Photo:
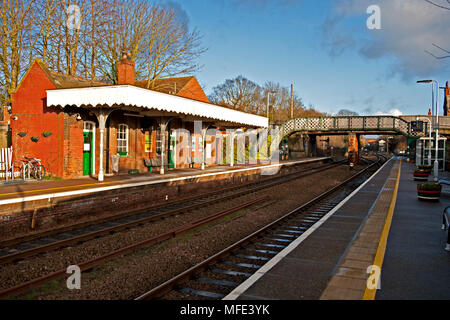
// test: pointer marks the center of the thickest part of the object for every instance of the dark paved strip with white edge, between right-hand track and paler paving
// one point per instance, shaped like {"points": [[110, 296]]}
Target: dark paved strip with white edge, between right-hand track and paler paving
{"points": [[305, 268]]}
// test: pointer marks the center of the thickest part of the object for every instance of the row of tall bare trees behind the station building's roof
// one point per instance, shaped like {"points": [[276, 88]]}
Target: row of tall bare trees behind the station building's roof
{"points": [[87, 38]]}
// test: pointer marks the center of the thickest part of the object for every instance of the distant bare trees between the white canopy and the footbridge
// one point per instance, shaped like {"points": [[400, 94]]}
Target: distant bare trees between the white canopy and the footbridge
{"points": [[245, 95]]}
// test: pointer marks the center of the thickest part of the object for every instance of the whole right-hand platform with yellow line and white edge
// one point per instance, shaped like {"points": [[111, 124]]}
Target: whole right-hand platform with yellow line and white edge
{"points": [[381, 229]]}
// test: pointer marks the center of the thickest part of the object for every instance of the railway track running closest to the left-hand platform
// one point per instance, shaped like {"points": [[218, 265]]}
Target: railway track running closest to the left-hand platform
{"points": [[17, 249]]}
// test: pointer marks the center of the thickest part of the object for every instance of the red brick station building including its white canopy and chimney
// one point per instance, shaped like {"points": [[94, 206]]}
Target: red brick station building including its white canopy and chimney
{"points": [[78, 127]]}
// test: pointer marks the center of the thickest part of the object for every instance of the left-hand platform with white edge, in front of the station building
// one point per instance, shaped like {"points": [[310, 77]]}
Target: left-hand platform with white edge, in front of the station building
{"points": [[45, 204]]}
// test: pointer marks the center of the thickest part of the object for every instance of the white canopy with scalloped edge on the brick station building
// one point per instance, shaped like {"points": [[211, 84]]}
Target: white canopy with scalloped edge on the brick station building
{"points": [[151, 103]]}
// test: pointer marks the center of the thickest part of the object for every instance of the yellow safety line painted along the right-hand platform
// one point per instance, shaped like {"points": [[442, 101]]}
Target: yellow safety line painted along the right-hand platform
{"points": [[369, 294]]}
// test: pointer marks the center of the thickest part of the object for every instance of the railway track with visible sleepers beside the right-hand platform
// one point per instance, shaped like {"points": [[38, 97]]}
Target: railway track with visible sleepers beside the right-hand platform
{"points": [[218, 275]]}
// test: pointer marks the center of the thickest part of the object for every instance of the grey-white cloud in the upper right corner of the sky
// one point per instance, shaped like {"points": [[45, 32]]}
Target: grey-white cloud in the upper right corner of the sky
{"points": [[408, 29]]}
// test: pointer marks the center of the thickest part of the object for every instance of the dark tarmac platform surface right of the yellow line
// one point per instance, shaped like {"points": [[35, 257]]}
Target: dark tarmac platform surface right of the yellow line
{"points": [[416, 265]]}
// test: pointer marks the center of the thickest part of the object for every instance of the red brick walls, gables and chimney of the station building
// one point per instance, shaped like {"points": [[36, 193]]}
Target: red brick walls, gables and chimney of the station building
{"points": [[62, 152]]}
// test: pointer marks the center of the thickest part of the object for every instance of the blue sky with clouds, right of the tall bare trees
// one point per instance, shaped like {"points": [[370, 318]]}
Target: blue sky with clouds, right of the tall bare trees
{"points": [[326, 50]]}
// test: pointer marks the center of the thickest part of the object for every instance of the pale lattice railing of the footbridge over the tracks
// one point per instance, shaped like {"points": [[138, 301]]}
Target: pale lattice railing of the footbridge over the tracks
{"points": [[348, 124]]}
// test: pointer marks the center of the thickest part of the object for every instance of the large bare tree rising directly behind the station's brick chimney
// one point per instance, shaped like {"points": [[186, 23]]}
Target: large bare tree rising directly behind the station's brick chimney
{"points": [[159, 42]]}
